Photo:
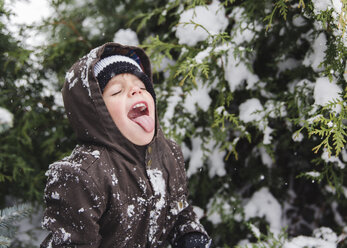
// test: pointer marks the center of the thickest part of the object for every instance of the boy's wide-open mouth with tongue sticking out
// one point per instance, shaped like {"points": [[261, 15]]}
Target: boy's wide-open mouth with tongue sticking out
{"points": [[139, 114]]}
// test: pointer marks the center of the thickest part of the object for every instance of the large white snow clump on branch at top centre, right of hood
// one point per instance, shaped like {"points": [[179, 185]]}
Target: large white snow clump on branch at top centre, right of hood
{"points": [[211, 17]]}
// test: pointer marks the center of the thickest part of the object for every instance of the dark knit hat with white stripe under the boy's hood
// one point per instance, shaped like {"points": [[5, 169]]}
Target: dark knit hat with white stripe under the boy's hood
{"points": [[110, 66]]}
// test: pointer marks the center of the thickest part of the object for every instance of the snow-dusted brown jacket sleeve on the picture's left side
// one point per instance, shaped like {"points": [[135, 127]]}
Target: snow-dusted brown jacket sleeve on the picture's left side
{"points": [[73, 208]]}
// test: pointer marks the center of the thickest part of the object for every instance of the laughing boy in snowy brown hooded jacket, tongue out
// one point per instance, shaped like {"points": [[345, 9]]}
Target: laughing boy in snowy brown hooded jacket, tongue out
{"points": [[124, 185]]}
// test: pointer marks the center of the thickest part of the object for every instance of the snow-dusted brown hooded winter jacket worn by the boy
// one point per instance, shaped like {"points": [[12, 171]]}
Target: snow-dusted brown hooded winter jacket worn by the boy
{"points": [[110, 192]]}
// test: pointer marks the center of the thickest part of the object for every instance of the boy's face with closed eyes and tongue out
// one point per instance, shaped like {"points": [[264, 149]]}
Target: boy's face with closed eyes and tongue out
{"points": [[131, 107]]}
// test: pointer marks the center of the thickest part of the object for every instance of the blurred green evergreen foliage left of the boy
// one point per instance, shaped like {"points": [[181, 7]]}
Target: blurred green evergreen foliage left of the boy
{"points": [[38, 126]]}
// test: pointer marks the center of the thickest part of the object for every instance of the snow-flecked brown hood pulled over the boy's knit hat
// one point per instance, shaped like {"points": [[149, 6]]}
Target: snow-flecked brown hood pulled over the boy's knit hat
{"points": [[85, 106]]}
